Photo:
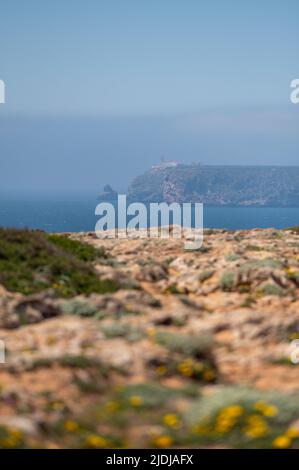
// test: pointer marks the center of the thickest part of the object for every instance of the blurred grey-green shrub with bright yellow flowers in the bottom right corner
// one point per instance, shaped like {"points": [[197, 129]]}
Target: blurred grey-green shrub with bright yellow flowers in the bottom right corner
{"points": [[244, 418]]}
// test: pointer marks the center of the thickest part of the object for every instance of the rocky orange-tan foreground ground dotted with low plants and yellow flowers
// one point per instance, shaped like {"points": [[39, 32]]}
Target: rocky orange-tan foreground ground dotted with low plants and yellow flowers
{"points": [[192, 349]]}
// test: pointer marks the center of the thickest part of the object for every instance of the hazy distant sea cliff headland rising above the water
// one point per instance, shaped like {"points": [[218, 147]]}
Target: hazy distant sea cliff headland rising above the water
{"points": [[218, 185]]}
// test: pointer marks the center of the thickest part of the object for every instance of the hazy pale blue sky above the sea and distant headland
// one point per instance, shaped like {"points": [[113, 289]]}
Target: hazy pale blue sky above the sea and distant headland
{"points": [[97, 91]]}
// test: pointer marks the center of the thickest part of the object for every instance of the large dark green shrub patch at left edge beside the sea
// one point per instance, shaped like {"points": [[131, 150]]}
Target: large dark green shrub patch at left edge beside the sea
{"points": [[31, 261]]}
